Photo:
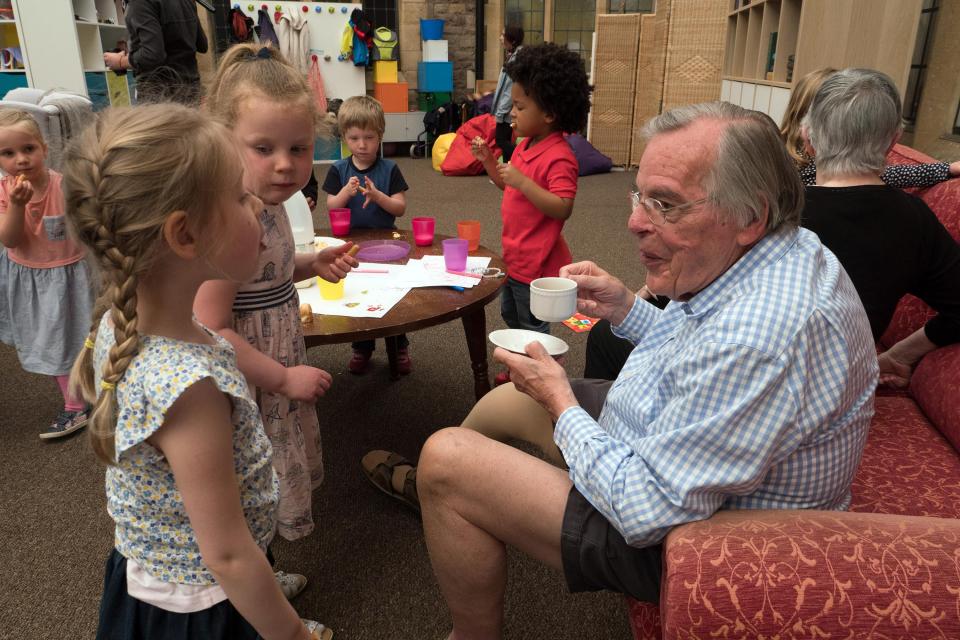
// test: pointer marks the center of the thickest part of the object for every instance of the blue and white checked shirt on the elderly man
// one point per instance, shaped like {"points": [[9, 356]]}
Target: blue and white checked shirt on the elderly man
{"points": [[755, 394]]}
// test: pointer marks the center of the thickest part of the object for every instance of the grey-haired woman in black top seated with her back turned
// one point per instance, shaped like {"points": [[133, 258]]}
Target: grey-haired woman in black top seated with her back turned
{"points": [[889, 241]]}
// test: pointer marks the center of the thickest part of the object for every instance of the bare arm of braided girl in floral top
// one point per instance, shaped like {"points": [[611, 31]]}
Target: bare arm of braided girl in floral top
{"points": [[197, 440]]}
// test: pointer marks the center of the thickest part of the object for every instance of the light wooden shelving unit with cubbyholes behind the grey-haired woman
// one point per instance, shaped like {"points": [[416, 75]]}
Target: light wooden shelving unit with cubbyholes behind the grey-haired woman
{"points": [[772, 43]]}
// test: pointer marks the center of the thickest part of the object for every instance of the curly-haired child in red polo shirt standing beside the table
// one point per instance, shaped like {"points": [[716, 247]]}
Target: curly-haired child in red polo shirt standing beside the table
{"points": [[550, 96]]}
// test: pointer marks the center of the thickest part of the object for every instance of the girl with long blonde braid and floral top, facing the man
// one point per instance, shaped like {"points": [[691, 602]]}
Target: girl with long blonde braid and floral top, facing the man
{"points": [[156, 193]]}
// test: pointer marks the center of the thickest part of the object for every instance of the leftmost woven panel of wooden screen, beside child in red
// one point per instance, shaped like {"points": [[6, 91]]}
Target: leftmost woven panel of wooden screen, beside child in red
{"points": [[614, 78]]}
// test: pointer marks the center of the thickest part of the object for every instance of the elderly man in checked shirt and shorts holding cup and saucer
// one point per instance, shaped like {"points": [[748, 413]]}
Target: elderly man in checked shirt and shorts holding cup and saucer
{"points": [[752, 389]]}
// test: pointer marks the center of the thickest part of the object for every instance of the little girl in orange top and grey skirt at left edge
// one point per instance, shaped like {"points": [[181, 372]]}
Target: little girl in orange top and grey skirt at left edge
{"points": [[46, 297]]}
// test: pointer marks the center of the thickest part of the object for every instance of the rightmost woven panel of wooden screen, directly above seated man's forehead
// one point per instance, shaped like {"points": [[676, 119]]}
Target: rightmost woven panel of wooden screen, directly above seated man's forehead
{"points": [[695, 45]]}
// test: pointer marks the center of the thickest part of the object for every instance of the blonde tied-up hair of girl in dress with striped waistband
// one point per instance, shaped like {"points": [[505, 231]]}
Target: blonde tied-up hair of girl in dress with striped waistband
{"points": [[247, 70]]}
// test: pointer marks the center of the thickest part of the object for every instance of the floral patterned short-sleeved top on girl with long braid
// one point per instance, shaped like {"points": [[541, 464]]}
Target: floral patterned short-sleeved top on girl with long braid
{"points": [[152, 527]]}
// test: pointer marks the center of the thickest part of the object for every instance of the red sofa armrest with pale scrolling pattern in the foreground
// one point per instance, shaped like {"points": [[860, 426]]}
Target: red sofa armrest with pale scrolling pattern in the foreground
{"points": [[787, 574]]}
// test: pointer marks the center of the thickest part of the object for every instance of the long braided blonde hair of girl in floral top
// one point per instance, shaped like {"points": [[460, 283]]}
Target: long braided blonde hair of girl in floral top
{"points": [[123, 177]]}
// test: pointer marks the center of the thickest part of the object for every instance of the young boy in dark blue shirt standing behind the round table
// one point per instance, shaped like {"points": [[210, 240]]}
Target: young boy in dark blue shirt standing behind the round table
{"points": [[373, 189]]}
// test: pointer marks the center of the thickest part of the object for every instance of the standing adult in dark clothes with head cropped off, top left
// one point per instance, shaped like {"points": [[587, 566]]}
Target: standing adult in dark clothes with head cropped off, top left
{"points": [[165, 37]]}
